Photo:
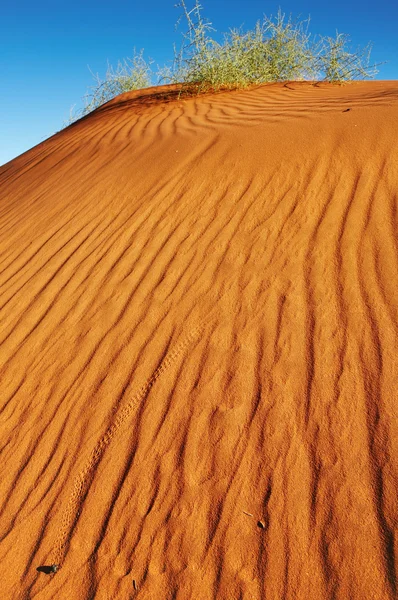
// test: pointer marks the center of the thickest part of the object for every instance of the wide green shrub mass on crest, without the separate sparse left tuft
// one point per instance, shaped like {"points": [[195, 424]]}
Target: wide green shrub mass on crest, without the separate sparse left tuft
{"points": [[277, 49]]}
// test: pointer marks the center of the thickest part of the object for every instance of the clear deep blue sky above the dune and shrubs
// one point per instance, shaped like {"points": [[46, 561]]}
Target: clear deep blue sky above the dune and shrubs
{"points": [[46, 47]]}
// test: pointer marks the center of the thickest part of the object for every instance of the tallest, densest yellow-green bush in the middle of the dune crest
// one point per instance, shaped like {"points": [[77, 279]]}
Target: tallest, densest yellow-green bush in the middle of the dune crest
{"points": [[275, 50]]}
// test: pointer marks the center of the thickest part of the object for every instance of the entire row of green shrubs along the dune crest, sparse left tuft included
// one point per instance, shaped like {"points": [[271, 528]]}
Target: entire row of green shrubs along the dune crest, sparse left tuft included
{"points": [[277, 49]]}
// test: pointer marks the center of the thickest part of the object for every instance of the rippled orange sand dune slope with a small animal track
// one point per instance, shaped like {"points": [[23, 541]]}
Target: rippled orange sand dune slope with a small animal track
{"points": [[199, 319]]}
